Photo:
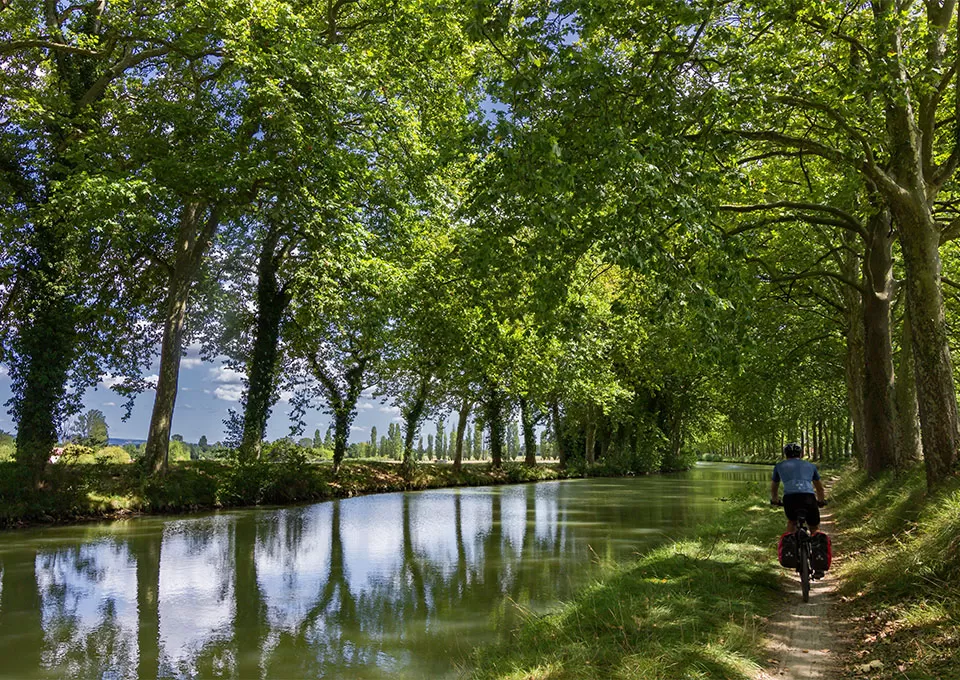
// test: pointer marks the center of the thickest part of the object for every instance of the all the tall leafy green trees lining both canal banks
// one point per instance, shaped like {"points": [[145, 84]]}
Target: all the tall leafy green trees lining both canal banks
{"points": [[634, 226]]}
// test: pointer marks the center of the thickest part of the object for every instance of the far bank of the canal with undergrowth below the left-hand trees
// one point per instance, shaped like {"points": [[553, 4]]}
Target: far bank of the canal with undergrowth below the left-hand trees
{"points": [[73, 493]]}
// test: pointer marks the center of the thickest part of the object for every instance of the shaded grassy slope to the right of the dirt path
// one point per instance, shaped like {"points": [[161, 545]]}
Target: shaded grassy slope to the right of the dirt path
{"points": [[900, 579]]}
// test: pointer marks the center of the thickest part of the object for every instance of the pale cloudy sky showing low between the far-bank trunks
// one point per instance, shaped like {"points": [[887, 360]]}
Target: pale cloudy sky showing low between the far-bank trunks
{"points": [[206, 391]]}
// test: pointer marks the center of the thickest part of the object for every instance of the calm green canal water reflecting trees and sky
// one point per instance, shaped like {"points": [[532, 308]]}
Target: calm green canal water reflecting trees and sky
{"points": [[387, 586]]}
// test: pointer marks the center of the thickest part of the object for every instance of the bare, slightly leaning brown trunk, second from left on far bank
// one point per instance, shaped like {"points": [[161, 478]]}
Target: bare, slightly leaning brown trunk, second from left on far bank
{"points": [[193, 239]]}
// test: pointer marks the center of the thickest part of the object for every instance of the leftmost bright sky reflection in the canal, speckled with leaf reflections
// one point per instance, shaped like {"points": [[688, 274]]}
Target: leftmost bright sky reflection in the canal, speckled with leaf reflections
{"points": [[88, 594]]}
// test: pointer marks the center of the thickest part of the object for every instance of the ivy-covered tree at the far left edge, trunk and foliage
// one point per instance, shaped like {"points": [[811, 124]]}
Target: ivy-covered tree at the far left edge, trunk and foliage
{"points": [[64, 72]]}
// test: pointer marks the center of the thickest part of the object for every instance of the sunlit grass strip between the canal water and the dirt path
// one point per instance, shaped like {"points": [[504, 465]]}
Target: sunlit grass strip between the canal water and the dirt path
{"points": [[692, 609]]}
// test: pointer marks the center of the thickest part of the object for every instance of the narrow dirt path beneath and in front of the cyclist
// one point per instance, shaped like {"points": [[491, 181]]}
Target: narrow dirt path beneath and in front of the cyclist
{"points": [[804, 638]]}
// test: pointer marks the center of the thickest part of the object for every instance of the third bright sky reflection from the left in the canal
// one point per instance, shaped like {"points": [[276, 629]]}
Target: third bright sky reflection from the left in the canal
{"points": [[291, 573]]}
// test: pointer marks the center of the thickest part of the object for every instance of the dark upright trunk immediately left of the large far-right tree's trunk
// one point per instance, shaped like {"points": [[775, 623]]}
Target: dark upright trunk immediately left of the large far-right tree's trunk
{"points": [[879, 412]]}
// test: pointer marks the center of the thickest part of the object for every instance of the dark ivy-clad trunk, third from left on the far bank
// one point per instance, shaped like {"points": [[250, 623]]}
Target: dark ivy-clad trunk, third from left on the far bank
{"points": [[261, 392]]}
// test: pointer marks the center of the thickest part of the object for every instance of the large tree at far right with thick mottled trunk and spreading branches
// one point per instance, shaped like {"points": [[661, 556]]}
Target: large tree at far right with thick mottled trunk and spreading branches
{"points": [[897, 78]]}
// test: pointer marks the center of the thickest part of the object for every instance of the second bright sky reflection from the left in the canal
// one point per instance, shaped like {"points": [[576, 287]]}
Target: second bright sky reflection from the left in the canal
{"points": [[196, 599]]}
